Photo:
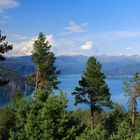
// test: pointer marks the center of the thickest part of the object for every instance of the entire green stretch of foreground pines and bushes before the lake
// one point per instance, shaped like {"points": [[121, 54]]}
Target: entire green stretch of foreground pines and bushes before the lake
{"points": [[45, 116]]}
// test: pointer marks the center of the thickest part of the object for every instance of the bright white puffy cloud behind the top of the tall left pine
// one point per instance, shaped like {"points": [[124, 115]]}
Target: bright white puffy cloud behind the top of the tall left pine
{"points": [[26, 47]]}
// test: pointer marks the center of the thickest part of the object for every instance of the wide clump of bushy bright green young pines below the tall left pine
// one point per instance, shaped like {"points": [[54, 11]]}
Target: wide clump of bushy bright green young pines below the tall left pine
{"points": [[48, 120]]}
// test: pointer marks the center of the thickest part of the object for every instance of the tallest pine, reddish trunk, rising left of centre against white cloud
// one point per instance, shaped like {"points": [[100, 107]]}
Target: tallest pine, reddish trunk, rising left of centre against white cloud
{"points": [[46, 73]]}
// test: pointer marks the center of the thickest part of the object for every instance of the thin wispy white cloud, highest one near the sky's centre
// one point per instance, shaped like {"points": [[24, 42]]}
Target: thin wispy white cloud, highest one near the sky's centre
{"points": [[74, 28]]}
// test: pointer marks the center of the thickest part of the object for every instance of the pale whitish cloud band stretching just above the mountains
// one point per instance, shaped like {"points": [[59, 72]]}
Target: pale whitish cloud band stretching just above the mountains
{"points": [[109, 43]]}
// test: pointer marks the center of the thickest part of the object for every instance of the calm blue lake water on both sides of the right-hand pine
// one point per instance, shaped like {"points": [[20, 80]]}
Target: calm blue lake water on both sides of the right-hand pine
{"points": [[69, 82]]}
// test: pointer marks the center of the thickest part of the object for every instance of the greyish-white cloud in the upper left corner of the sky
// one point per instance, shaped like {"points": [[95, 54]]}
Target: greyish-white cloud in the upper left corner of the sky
{"points": [[8, 4]]}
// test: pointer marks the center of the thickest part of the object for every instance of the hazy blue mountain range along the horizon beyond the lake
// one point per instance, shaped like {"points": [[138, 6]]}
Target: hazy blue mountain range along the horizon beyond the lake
{"points": [[111, 65]]}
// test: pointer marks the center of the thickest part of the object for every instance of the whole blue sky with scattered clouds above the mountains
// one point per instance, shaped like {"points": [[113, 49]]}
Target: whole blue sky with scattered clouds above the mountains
{"points": [[73, 27]]}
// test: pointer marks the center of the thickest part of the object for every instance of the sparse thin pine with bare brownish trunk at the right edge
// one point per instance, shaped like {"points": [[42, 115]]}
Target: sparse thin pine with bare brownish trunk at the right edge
{"points": [[132, 89]]}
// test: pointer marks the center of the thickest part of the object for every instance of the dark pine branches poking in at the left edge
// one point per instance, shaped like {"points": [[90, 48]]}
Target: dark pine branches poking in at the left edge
{"points": [[4, 47]]}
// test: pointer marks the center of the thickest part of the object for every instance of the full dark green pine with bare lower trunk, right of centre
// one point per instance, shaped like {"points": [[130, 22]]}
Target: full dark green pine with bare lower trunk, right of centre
{"points": [[93, 89]]}
